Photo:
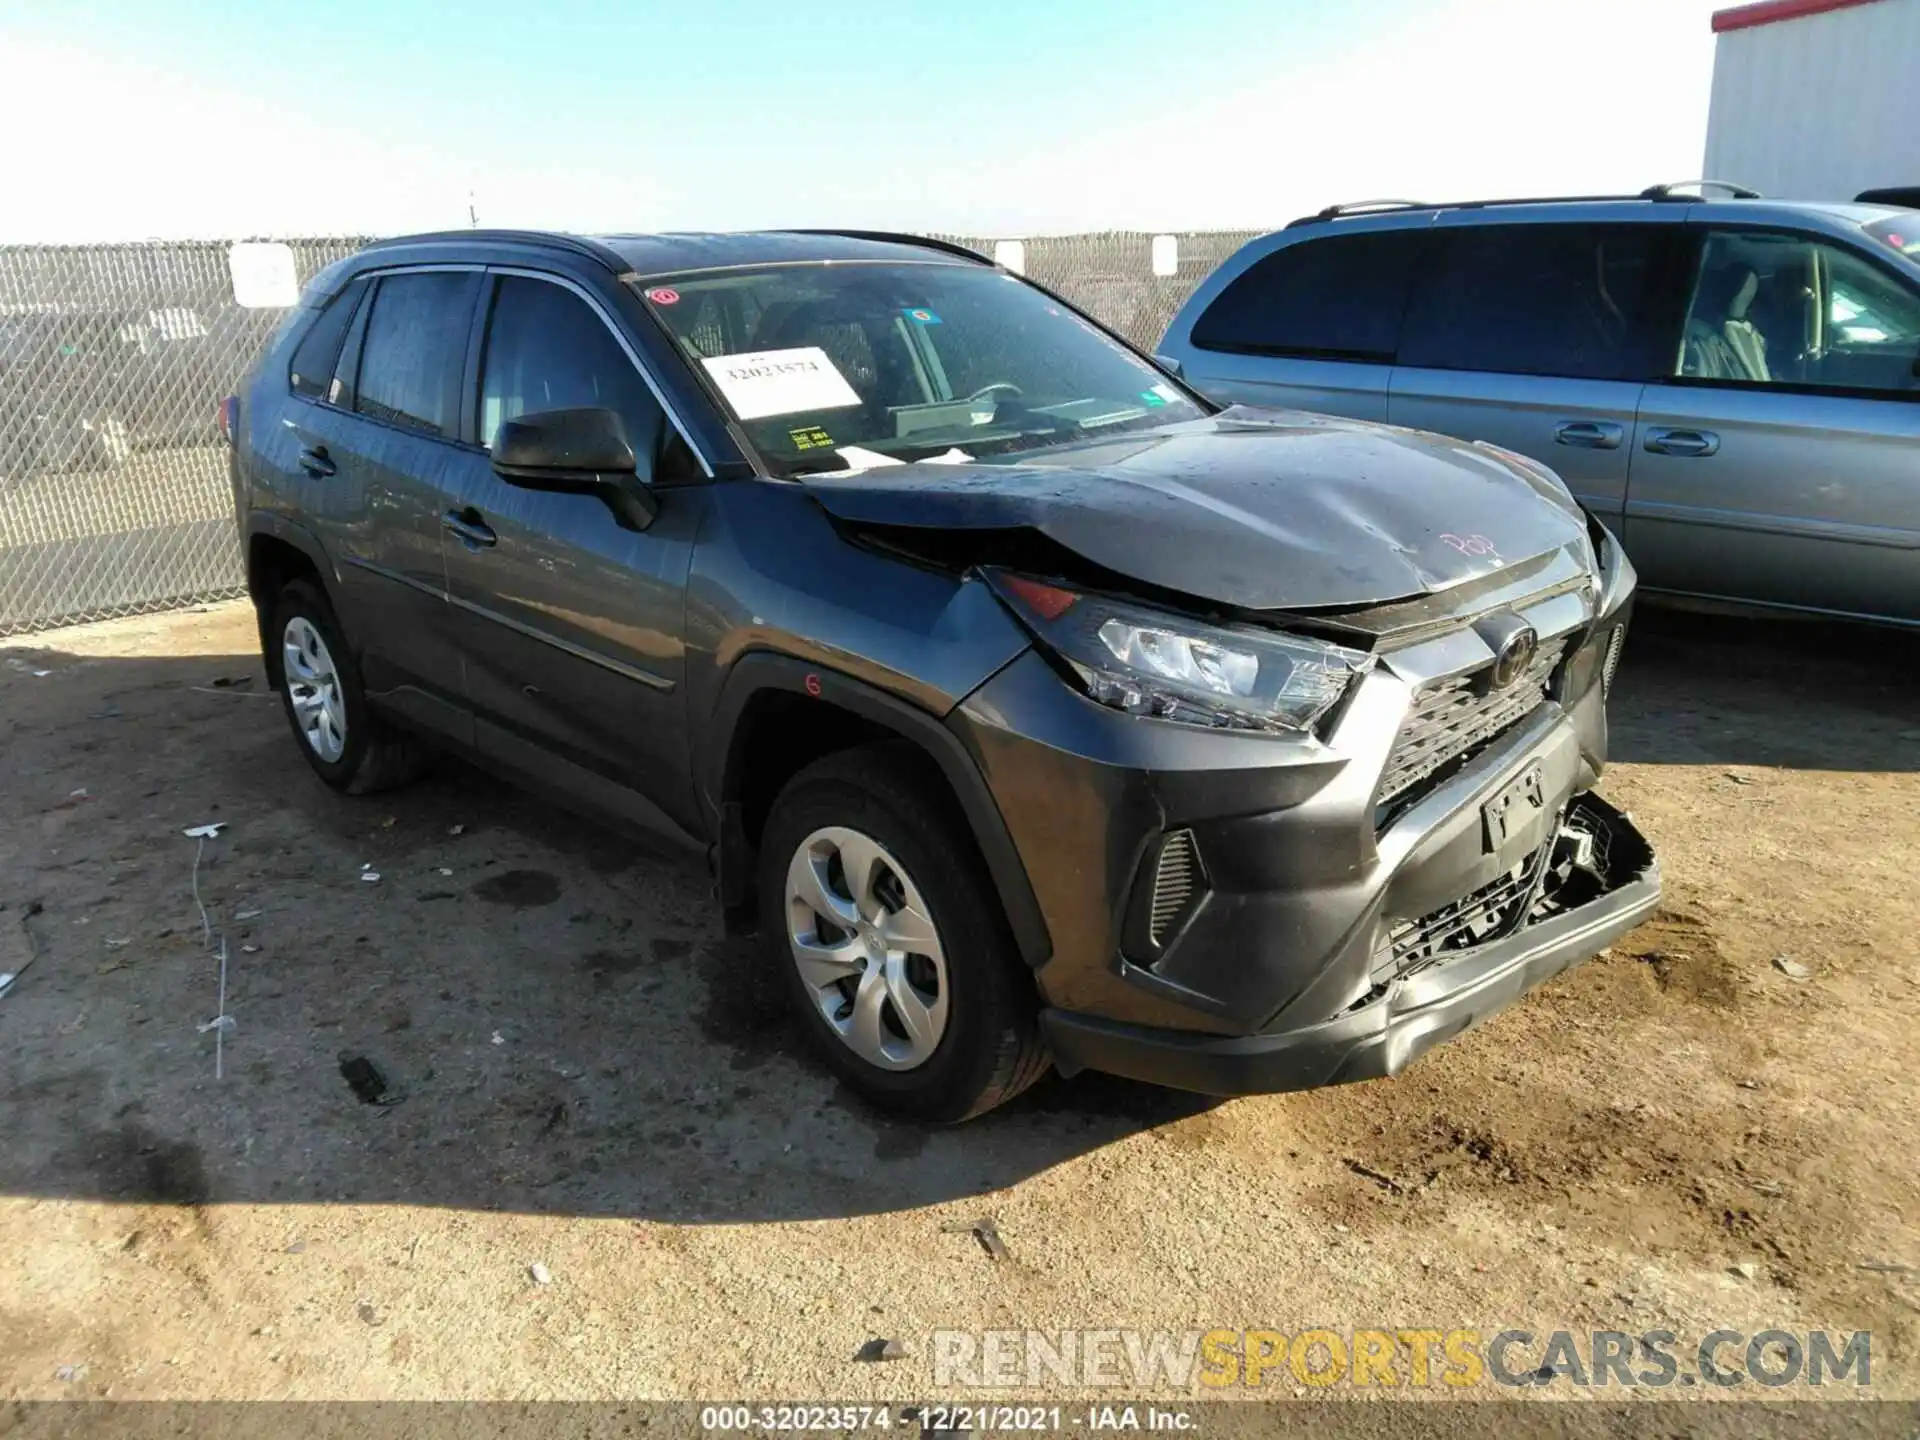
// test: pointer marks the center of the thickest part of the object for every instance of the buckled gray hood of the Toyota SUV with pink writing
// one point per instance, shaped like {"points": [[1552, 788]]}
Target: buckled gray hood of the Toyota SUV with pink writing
{"points": [[1251, 508]]}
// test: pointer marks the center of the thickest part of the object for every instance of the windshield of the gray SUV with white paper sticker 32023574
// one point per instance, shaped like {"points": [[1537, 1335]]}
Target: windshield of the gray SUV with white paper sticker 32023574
{"points": [[838, 368]]}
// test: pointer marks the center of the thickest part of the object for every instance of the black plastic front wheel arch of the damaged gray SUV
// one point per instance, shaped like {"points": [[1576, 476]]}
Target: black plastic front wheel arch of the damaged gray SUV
{"points": [[777, 715]]}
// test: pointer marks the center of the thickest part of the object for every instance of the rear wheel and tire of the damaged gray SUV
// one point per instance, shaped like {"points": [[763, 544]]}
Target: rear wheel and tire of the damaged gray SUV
{"points": [[347, 744]]}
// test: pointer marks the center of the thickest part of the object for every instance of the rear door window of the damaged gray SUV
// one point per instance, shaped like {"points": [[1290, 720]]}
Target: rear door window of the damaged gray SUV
{"points": [[410, 370]]}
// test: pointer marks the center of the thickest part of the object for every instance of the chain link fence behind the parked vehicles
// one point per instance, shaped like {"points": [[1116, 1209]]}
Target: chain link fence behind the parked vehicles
{"points": [[114, 492]]}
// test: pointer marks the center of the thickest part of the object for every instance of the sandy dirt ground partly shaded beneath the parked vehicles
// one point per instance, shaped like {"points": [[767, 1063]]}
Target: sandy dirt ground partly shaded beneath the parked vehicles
{"points": [[1675, 1136]]}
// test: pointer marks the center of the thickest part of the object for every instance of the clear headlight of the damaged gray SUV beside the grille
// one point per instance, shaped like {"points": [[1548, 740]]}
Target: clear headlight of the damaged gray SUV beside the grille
{"points": [[1178, 669]]}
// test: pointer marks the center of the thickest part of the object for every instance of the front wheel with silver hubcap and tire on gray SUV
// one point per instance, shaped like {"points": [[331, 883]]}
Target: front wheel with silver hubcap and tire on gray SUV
{"points": [[890, 940]]}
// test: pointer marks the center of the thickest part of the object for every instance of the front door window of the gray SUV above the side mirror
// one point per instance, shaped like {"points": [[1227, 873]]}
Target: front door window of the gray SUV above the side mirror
{"points": [[548, 352]]}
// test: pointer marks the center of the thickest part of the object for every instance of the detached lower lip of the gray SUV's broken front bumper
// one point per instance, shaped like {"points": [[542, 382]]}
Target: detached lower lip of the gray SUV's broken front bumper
{"points": [[1383, 1036]]}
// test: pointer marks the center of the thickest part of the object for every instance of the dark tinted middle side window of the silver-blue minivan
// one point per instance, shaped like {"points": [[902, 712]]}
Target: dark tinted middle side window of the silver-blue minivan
{"points": [[1587, 302]]}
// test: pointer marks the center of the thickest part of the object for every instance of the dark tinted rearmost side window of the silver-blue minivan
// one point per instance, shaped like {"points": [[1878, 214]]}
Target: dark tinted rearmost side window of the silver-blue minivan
{"points": [[1337, 297]]}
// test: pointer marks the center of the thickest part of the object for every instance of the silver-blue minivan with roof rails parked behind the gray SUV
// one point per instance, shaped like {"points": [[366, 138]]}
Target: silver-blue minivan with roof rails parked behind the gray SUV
{"points": [[1731, 383]]}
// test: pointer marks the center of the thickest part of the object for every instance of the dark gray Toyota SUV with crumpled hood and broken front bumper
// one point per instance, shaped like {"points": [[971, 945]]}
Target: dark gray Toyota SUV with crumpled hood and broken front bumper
{"points": [[1032, 708]]}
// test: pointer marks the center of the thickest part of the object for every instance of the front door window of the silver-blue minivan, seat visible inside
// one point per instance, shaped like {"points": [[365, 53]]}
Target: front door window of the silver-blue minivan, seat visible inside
{"points": [[1781, 310]]}
